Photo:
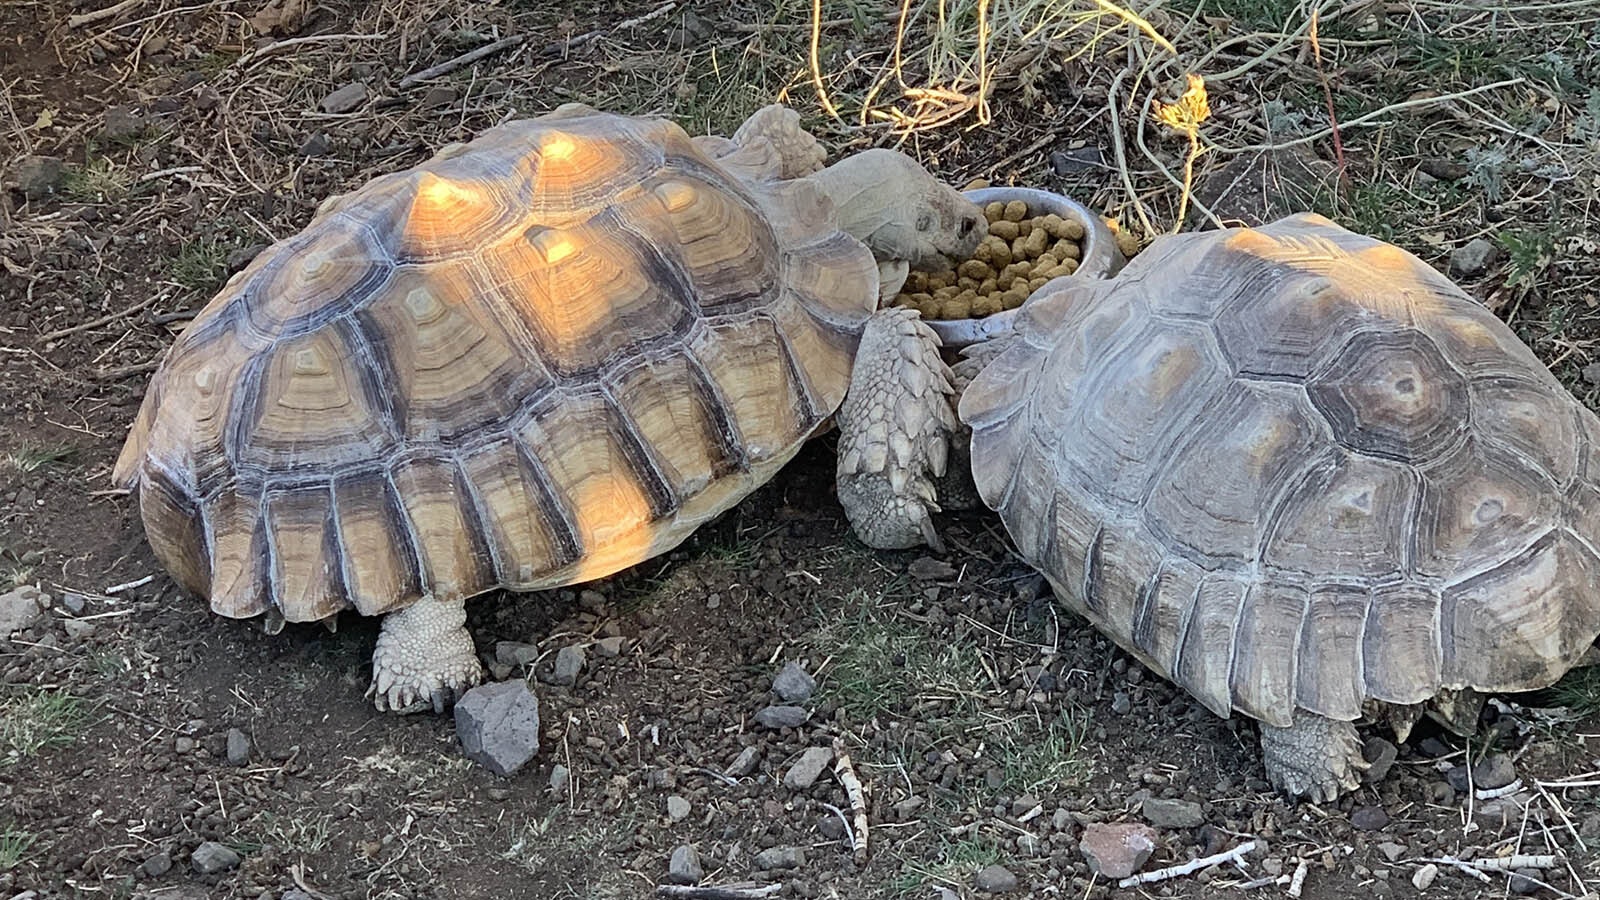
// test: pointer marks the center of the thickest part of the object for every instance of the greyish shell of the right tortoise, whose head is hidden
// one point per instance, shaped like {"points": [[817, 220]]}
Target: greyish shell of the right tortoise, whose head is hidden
{"points": [[1297, 468]]}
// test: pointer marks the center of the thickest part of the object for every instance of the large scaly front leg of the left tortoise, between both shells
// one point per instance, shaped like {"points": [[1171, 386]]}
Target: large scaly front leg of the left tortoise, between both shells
{"points": [[894, 433]]}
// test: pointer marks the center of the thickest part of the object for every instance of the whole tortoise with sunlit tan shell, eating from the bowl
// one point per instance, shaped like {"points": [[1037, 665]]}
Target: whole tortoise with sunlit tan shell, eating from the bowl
{"points": [[532, 361]]}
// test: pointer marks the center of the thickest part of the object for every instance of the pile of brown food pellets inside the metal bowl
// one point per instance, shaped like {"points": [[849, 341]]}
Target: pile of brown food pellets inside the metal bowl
{"points": [[1017, 259]]}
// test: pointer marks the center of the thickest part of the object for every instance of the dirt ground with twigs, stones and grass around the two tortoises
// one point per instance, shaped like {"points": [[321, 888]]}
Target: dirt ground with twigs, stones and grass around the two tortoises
{"points": [[988, 725]]}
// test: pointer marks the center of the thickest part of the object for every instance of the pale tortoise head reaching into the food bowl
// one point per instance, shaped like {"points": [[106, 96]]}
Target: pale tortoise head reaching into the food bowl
{"points": [[900, 211]]}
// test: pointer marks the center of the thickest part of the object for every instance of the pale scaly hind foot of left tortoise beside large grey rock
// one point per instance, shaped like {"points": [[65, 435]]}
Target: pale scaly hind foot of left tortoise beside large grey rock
{"points": [[425, 659]]}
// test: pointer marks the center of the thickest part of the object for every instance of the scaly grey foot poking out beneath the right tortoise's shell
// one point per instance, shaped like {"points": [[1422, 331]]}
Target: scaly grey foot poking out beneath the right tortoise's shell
{"points": [[1314, 758]]}
